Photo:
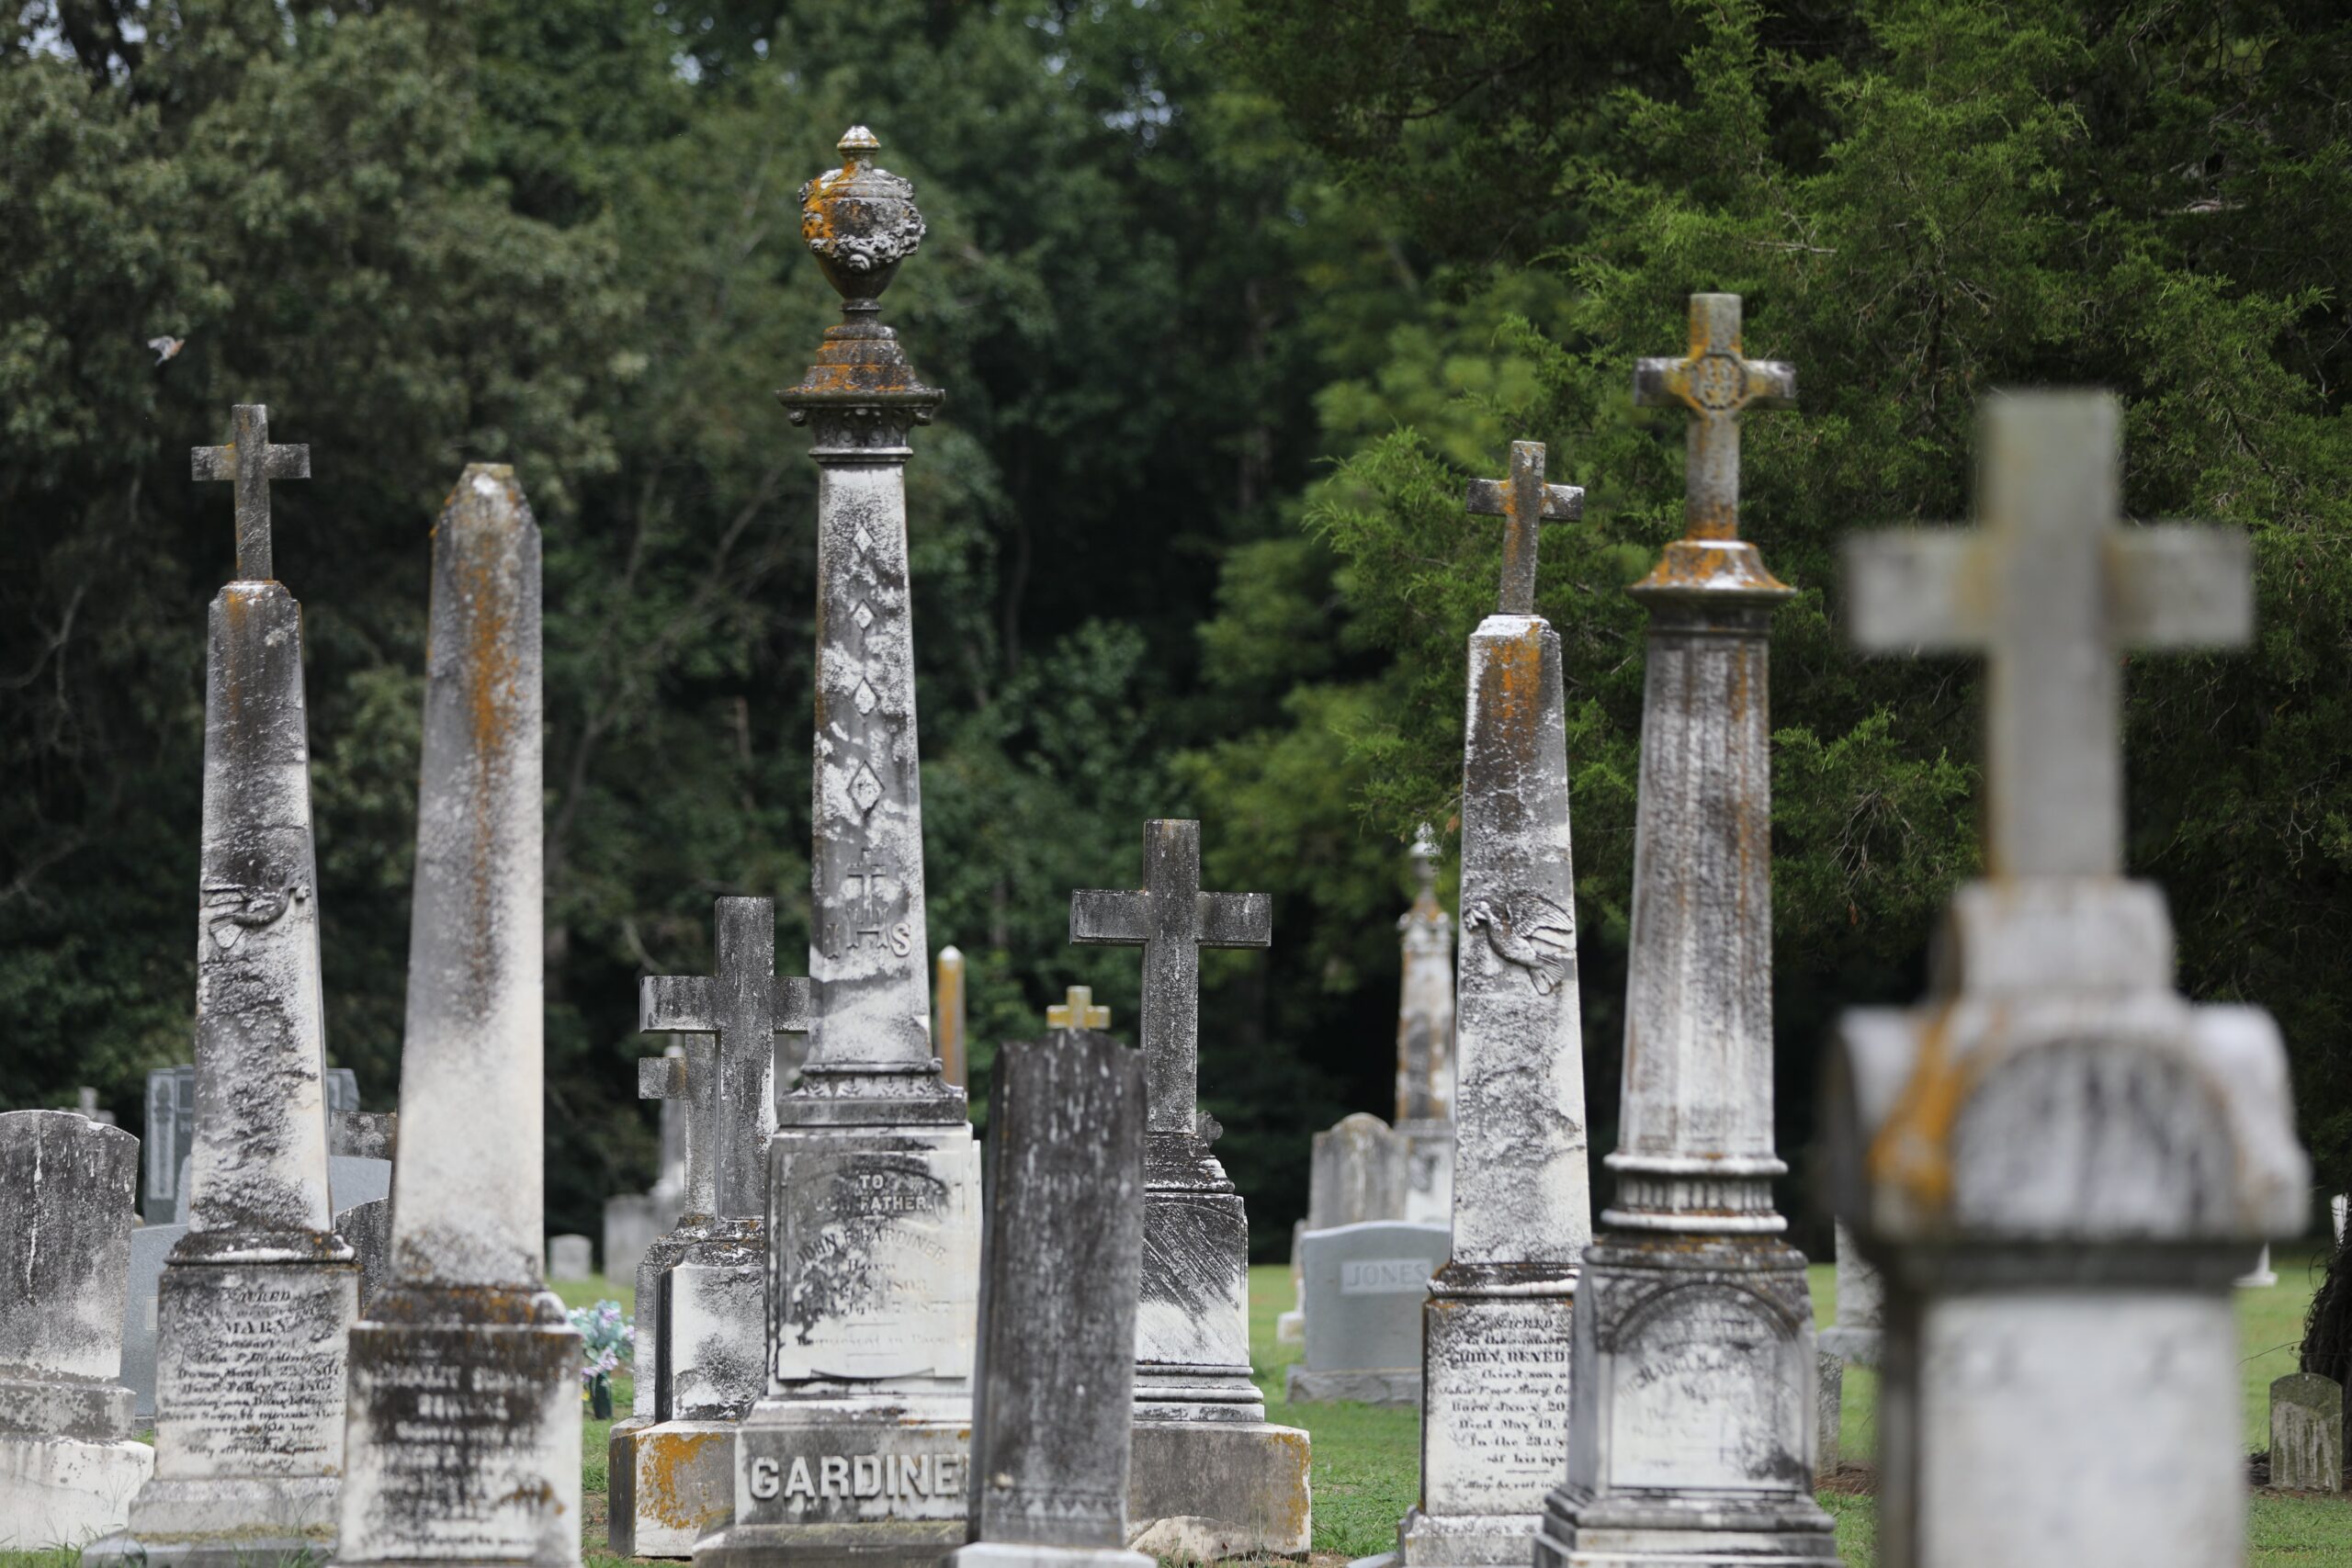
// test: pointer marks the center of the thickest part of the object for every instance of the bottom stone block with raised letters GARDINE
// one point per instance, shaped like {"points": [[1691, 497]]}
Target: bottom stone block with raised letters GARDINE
{"points": [[867, 1480]]}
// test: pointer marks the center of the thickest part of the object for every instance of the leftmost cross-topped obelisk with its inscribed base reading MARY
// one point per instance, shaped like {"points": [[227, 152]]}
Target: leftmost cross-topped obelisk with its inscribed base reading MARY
{"points": [[258, 1299]]}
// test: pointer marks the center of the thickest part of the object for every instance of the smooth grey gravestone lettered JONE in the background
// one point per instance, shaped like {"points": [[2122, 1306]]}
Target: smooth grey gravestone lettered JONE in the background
{"points": [[1365, 1287]]}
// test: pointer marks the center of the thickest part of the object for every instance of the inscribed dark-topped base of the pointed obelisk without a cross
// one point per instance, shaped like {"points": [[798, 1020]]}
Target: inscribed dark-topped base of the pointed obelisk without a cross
{"points": [[465, 1440]]}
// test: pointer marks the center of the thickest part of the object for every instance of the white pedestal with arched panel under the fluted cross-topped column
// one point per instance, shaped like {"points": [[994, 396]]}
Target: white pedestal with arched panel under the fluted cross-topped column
{"points": [[1657, 1473]]}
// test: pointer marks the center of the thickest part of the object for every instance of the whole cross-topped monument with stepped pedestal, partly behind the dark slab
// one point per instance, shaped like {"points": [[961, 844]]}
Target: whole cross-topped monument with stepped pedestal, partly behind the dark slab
{"points": [[1210, 1475]]}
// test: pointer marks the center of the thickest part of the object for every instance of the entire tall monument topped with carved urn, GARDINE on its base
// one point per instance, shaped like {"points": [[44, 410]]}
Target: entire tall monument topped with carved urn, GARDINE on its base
{"points": [[874, 1174]]}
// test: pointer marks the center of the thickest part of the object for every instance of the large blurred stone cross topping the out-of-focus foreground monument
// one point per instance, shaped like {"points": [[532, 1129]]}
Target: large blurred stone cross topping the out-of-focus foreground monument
{"points": [[2052, 591]]}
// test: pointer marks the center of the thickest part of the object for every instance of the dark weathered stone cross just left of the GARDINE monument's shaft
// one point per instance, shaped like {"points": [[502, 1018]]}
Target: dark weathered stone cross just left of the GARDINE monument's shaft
{"points": [[744, 1005]]}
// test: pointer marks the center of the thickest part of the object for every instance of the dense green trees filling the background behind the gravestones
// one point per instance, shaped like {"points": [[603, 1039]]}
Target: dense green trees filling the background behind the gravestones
{"points": [[1184, 257]]}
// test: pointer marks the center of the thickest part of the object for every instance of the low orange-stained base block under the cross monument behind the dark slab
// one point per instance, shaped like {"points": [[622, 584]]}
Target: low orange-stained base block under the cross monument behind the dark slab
{"points": [[1215, 1489]]}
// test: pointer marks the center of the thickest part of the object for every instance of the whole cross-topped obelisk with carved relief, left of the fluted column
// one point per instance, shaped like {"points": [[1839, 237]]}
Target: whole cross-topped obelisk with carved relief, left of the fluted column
{"points": [[1495, 1414]]}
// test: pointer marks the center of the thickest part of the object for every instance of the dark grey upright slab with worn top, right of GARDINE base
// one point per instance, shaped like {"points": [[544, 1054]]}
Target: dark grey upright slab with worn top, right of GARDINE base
{"points": [[1055, 1383]]}
